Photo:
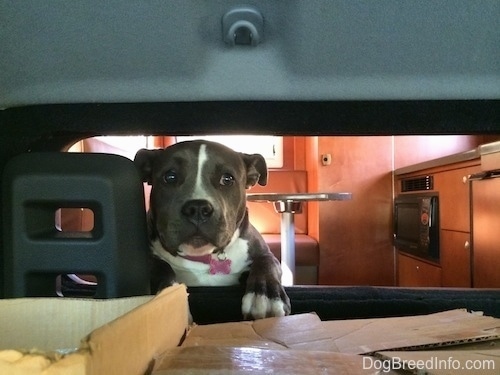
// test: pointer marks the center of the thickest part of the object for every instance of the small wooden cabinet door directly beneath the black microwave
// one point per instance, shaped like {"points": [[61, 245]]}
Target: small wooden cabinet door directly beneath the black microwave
{"points": [[413, 272]]}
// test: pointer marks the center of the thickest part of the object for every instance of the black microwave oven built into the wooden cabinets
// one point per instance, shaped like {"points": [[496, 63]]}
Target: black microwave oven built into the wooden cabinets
{"points": [[416, 224]]}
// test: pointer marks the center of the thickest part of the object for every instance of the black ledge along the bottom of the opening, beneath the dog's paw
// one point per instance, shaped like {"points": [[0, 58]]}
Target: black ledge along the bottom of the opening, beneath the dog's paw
{"points": [[347, 302]]}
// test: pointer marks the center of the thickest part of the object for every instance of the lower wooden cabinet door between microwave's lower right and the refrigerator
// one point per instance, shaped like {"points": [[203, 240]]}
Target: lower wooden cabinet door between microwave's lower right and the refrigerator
{"points": [[455, 258]]}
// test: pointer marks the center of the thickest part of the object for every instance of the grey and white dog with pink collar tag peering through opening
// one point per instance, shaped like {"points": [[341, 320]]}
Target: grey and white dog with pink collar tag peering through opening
{"points": [[199, 229]]}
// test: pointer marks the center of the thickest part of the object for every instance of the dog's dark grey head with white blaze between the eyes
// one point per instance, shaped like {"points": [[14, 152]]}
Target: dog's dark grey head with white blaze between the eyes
{"points": [[198, 198]]}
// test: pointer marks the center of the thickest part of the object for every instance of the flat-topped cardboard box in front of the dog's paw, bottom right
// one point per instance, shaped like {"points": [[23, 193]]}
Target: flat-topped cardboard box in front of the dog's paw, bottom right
{"points": [[304, 344]]}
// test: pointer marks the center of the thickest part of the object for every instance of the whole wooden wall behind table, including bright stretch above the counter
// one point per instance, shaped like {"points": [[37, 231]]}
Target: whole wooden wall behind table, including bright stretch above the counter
{"points": [[356, 236]]}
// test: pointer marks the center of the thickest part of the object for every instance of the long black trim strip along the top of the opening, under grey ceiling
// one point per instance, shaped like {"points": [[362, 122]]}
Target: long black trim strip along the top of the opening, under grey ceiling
{"points": [[290, 117]]}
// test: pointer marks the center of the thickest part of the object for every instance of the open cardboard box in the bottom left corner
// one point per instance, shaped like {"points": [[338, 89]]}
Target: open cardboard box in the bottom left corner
{"points": [[82, 336]]}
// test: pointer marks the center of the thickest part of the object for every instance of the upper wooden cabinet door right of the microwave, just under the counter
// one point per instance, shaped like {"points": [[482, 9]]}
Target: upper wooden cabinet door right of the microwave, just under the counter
{"points": [[454, 205]]}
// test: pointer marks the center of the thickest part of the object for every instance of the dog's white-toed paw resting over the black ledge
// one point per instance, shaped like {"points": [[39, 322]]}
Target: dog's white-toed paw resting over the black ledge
{"points": [[258, 306]]}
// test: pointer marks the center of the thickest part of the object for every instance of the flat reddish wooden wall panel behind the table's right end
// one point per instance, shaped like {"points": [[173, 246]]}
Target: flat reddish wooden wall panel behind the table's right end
{"points": [[356, 236]]}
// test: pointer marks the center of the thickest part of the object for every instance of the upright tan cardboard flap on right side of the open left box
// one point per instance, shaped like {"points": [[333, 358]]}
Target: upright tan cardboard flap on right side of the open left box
{"points": [[140, 335]]}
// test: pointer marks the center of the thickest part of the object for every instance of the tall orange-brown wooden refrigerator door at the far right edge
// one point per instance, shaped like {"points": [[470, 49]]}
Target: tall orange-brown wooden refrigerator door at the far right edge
{"points": [[486, 233]]}
